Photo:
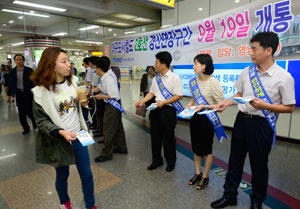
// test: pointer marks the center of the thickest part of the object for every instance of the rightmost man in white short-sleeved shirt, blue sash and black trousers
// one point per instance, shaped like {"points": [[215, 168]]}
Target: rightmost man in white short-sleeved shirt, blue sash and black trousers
{"points": [[272, 91]]}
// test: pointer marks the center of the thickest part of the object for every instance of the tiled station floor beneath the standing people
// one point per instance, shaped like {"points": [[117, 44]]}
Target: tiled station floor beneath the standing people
{"points": [[124, 182]]}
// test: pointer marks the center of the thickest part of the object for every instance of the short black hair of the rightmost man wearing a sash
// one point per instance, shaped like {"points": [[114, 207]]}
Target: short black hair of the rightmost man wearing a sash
{"points": [[266, 40]]}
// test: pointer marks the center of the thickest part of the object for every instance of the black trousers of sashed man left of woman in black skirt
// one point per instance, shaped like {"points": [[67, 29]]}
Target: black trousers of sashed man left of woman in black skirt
{"points": [[163, 122]]}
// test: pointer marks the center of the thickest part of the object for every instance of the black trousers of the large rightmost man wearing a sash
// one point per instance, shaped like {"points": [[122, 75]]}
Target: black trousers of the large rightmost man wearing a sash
{"points": [[253, 136]]}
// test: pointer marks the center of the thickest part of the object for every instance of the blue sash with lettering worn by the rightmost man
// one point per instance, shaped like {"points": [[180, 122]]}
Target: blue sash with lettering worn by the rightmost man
{"points": [[260, 92]]}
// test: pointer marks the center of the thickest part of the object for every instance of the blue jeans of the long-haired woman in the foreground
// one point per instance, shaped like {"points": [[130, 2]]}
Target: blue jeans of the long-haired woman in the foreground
{"points": [[83, 166]]}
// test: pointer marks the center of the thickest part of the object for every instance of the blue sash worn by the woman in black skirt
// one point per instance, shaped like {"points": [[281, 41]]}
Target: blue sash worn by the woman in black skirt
{"points": [[213, 116]]}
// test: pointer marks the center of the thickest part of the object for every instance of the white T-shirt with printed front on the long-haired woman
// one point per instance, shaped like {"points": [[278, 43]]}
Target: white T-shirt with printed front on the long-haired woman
{"points": [[66, 103]]}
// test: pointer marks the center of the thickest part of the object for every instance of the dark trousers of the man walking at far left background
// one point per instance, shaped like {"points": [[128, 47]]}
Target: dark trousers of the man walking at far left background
{"points": [[25, 109]]}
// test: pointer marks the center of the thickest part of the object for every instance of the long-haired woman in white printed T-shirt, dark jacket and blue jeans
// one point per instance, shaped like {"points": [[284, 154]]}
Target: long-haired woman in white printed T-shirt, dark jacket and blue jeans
{"points": [[59, 118]]}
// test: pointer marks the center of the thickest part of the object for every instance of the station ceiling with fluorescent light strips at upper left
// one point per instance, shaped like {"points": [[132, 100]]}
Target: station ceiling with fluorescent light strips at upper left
{"points": [[112, 16]]}
